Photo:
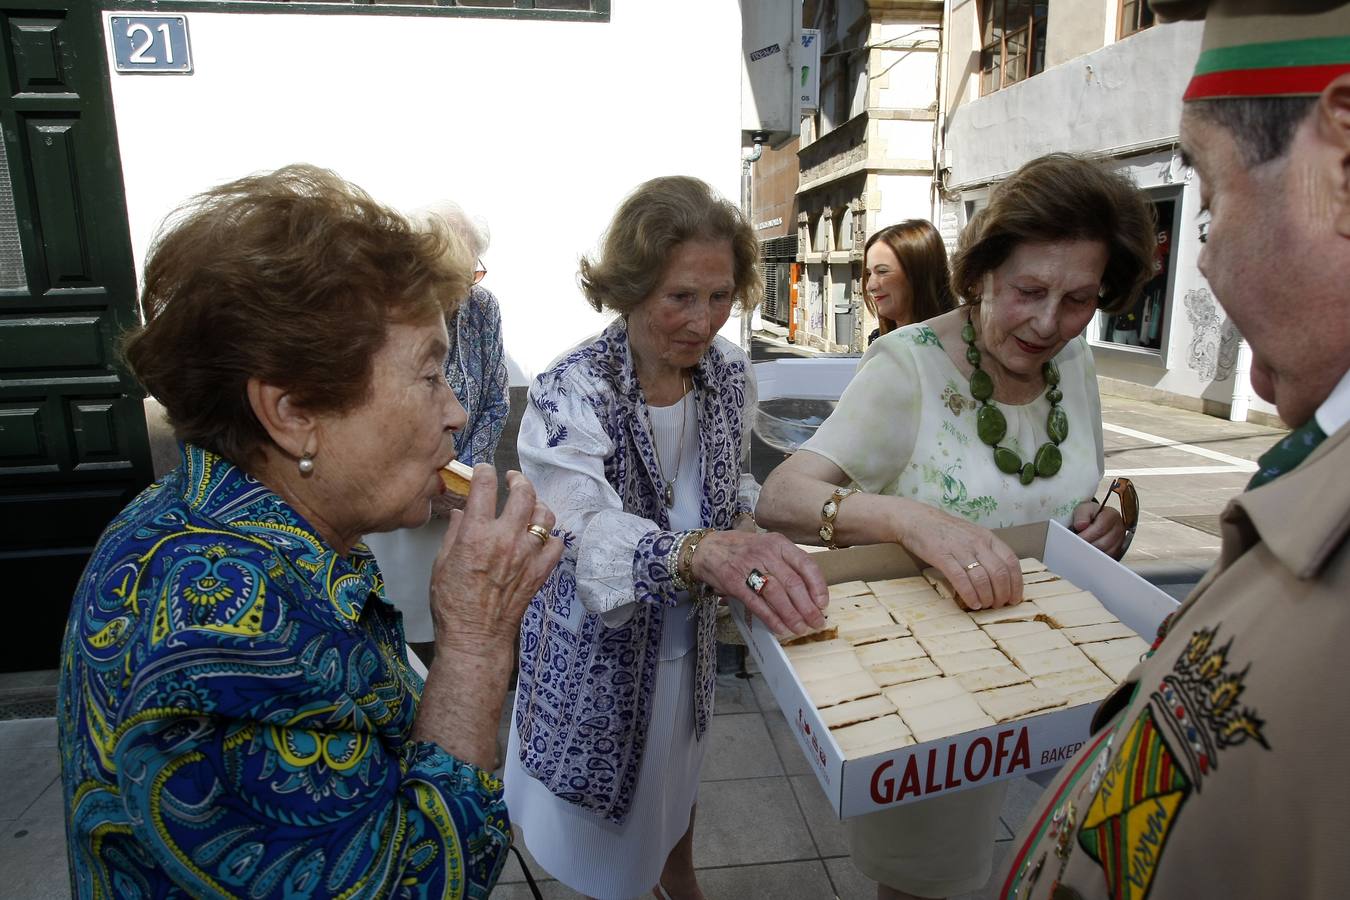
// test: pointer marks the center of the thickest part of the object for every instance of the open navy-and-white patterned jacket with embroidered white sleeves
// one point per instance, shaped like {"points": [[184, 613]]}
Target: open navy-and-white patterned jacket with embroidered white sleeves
{"points": [[592, 636]]}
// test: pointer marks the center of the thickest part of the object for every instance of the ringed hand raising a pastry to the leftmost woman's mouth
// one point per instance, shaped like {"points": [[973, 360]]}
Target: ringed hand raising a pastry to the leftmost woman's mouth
{"points": [[491, 566]]}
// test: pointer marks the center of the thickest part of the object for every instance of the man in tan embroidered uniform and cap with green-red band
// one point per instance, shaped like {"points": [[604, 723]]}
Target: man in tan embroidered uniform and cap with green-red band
{"points": [[1217, 770]]}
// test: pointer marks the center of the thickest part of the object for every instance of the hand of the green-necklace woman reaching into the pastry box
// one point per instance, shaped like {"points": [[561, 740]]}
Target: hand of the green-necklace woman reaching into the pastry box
{"points": [[983, 571]]}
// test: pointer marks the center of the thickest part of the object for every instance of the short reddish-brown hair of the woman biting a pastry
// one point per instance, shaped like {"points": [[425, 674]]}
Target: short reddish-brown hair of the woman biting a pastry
{"points": [[291, 277]]}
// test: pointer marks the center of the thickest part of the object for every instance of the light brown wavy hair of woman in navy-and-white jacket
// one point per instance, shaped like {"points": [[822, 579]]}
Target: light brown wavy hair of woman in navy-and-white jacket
{"points": [[651, 222]]}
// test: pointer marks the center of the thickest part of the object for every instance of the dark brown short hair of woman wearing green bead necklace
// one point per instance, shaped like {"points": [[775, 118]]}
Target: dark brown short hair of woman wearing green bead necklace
{"points": [[1063, 198]]}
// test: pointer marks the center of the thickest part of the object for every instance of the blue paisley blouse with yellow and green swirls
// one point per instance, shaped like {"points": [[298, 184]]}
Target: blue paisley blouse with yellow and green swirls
{"points": [[236, 714]]}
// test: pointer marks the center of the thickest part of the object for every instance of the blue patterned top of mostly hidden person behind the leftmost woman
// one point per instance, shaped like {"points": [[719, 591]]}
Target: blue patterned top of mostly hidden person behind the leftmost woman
{"points": [[477, 373]]}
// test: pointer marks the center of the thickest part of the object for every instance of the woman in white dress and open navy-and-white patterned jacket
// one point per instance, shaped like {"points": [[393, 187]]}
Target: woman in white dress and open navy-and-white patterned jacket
{"points": [[637, 438]]}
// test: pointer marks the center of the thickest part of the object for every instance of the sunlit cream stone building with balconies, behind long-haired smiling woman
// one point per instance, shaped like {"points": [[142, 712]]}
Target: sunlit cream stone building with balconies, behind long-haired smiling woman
{"points": [[867, 154]]}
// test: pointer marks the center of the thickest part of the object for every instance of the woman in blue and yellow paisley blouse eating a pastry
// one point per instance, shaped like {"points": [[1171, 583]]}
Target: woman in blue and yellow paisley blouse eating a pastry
{"points": [[237, 712]]}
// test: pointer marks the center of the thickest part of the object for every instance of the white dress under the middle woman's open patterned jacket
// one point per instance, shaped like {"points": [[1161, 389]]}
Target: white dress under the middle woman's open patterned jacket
{"points": [[581, 849]]}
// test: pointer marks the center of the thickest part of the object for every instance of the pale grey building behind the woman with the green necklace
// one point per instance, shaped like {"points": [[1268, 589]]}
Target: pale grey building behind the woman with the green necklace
{"points": [[1096, 78]]}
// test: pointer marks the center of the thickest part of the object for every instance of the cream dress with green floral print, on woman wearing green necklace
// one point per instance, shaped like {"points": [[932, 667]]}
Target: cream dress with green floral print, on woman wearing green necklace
{"points": [[907, 428]]}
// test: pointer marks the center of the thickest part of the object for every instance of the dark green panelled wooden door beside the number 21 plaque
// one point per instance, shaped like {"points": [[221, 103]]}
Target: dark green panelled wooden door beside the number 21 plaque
{"points": [[74, 446]]}
